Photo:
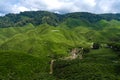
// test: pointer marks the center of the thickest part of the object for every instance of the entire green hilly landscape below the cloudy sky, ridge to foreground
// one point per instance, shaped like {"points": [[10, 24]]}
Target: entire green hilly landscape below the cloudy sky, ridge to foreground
{"points": [[30, 40]]}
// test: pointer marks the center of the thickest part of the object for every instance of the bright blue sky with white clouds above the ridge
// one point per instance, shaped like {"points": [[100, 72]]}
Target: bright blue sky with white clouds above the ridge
{"points": [[60, 6]]}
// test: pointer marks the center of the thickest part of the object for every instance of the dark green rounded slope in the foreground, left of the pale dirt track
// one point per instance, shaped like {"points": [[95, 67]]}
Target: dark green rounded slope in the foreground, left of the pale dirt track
{"points": [[21, 66]]}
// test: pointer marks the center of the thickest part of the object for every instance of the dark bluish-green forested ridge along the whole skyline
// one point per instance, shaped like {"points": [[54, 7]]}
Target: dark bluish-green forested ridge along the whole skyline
{"points": [[54, 19]]}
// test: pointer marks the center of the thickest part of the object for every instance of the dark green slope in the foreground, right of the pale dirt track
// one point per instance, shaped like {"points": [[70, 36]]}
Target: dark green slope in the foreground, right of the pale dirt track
{"points": [[92, 67]]}
